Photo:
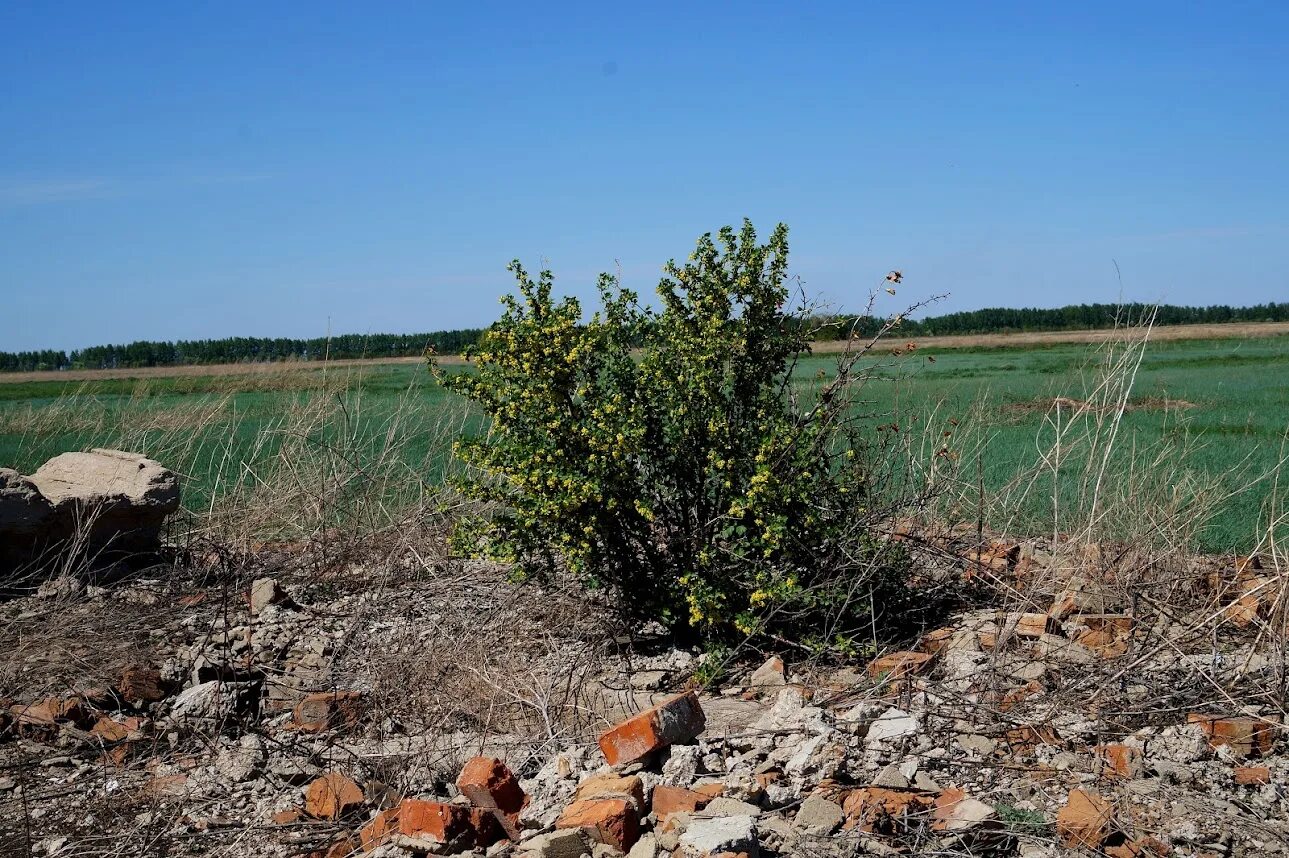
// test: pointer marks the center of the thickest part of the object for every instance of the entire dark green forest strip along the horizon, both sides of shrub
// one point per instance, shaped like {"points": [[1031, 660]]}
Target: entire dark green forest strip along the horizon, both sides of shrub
{"points": [[248, 350]]}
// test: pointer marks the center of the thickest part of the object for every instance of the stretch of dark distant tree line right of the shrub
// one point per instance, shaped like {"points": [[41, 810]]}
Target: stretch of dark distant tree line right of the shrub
{"points": [[1077, 318]]}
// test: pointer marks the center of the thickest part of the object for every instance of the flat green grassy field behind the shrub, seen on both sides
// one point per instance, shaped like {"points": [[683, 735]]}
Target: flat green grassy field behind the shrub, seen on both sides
{"points": [[1206, 417]]}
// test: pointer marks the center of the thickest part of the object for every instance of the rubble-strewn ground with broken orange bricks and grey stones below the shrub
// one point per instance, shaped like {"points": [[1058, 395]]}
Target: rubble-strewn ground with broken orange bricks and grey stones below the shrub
{"points": [[1082, 718]]}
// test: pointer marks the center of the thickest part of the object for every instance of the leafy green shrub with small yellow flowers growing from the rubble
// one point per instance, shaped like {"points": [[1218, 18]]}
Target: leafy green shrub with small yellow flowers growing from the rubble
{"points": [[667, 455]]}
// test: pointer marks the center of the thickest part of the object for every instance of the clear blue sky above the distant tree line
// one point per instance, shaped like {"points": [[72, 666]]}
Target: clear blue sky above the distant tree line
{"points": [[188, 171]]}
